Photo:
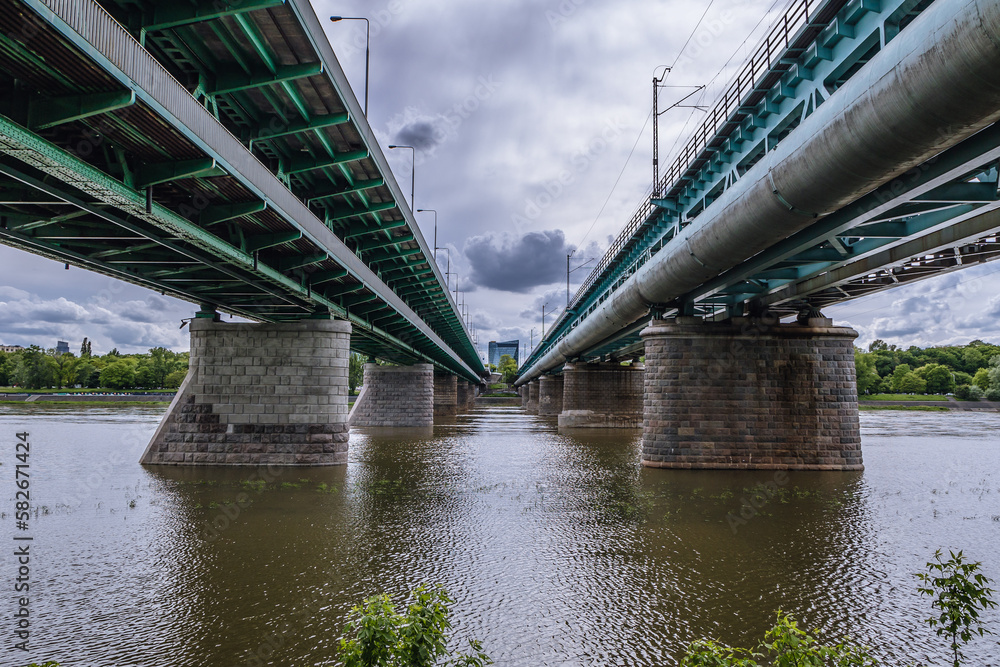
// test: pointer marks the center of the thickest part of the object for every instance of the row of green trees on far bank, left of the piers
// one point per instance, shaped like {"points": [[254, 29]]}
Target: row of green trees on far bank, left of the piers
{"points": [[38, 368]]}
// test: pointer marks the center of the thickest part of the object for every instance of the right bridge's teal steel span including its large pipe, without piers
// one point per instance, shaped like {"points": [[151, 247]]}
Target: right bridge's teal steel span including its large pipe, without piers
{"points": [[856, 150]]}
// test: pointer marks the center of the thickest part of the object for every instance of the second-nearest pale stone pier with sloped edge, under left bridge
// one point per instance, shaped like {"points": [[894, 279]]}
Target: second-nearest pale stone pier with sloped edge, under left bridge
{"points": [[397, 396]]}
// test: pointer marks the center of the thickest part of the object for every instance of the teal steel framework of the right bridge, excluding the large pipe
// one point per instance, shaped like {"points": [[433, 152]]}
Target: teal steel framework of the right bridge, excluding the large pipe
{"points": [[936, 217]]}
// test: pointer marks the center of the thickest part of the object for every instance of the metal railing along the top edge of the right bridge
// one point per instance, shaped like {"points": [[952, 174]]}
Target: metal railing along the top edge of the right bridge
{"points": [[782, 34]]}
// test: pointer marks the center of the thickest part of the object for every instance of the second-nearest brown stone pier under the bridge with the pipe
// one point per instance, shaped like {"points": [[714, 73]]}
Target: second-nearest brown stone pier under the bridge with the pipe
{"points": [[602, 395]]}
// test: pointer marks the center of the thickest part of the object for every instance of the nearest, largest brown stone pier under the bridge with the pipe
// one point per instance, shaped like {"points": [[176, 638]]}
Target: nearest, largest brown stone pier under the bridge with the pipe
{"points": [[750, 394]]}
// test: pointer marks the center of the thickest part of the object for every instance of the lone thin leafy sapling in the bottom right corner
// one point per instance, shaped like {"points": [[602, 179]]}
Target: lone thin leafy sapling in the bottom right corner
{"points": [[960, 592]]}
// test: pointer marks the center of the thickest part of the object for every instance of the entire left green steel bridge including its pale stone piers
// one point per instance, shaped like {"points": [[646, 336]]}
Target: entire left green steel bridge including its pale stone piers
{"points": [[212, 150]]}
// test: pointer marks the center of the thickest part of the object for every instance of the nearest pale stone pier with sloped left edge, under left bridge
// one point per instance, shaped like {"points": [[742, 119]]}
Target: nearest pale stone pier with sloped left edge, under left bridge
{"points": [[259, 394]]}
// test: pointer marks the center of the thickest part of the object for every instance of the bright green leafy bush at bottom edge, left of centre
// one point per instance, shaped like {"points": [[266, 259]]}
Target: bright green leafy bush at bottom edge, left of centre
{"points": [[377, 635]]}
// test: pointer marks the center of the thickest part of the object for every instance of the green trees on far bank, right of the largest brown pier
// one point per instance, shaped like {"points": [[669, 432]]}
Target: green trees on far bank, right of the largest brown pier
{"points": [[971, 372]]}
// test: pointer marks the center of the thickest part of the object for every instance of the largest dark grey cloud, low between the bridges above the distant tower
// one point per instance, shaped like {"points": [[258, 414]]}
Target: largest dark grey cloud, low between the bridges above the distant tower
{"points": [[517, 264]]}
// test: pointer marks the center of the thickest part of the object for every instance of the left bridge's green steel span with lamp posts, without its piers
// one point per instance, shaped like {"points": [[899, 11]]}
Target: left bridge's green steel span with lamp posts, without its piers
{"points": [[212, 150]]}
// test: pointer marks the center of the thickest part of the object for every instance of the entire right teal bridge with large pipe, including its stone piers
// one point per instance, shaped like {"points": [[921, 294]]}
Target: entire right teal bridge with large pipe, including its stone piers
{"points": [[857, 150]]}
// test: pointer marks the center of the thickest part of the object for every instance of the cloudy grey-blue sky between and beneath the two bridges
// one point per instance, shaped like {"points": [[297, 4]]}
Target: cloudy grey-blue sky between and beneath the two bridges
{"points": [[531, 122]]}
